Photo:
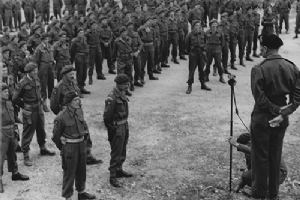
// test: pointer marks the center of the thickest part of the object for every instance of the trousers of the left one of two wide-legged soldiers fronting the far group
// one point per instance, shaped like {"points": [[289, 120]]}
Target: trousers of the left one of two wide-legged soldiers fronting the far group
{"points": [[196, 60]]}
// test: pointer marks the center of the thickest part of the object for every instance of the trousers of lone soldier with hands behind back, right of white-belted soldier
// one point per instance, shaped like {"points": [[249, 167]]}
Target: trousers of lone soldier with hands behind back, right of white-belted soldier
{"points": [[118, 139]]}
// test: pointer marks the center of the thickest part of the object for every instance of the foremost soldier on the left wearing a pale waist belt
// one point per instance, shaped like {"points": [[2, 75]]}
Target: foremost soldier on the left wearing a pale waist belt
{"points": [[69, 135]]}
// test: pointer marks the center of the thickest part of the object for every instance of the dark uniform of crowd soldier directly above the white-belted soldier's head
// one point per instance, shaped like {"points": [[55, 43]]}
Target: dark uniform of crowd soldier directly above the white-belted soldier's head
{"points": [[79, 55]]}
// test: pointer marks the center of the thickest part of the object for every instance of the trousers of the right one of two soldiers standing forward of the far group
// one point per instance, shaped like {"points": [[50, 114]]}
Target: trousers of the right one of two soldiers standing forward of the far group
{"points": [[215, 55]]}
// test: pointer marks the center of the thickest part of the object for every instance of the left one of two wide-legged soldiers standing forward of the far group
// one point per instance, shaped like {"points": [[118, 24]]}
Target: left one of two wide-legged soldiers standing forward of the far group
{"points": [[196, 49]]}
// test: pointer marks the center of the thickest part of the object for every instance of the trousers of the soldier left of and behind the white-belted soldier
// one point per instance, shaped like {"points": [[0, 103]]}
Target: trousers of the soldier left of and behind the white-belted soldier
{"points": [[33, 121]]}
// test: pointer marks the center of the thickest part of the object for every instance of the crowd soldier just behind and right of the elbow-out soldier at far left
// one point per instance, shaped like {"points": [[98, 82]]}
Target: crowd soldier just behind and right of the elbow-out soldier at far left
{"points": [[43, 56]]}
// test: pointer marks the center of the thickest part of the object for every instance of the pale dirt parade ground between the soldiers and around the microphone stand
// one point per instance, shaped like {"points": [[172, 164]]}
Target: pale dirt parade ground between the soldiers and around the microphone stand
{"points": [[177, 147]]}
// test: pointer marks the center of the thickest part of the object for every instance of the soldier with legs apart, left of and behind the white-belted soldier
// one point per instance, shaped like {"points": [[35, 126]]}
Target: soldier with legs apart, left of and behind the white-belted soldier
{"points": [[28, 96]]}
